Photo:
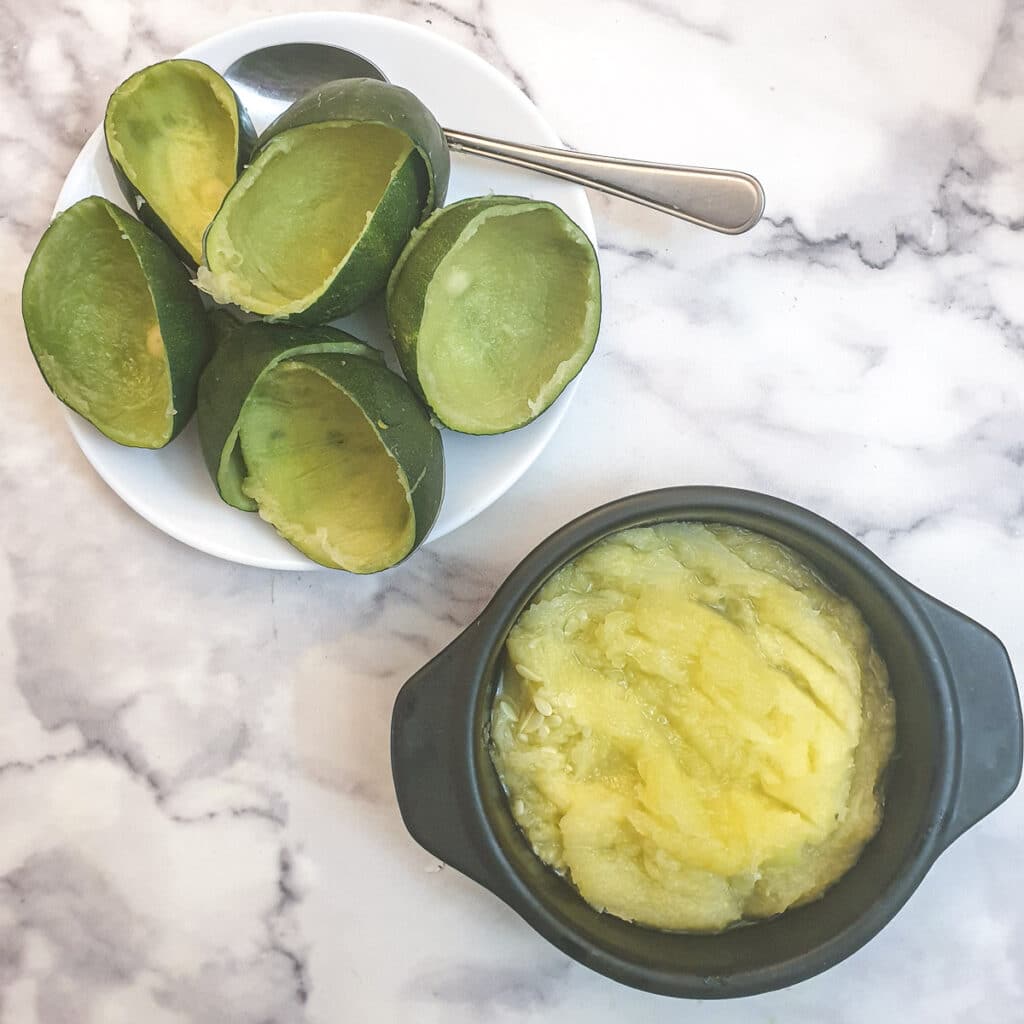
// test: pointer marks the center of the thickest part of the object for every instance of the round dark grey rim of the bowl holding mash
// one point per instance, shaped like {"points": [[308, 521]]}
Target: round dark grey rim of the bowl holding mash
{"points": [[696, 504]]}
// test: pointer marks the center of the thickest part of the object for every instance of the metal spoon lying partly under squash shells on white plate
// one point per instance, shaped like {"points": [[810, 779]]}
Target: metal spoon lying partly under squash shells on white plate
{"points": [[271, 79]]}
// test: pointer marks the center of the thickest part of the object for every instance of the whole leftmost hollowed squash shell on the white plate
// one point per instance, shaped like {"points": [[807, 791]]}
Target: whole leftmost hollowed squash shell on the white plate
{"points": [[116, 326]]}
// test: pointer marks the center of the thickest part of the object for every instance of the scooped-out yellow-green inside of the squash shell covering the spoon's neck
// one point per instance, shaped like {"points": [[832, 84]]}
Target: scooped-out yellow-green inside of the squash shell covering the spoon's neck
{"points": [[294, 219]]}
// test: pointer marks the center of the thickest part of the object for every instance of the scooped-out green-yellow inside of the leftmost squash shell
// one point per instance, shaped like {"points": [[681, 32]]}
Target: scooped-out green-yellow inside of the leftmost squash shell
{"points": [[99, 342]]}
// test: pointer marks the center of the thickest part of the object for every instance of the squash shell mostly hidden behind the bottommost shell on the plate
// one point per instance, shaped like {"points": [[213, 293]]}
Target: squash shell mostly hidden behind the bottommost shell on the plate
{"points": [[245, 353]]}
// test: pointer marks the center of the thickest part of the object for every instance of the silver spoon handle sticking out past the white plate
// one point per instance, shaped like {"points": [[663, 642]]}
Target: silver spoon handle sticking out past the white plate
{"points": [[731, 202]]}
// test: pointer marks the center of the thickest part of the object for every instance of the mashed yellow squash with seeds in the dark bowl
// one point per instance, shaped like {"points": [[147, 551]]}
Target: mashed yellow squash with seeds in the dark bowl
{"points": [[693, 727]]}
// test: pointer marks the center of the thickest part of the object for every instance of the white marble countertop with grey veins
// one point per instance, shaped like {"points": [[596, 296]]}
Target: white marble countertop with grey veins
{"points": [[199, 824]]}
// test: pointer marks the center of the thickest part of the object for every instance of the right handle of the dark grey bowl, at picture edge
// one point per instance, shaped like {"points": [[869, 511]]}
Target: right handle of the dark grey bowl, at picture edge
{"points": [[990, 715]]}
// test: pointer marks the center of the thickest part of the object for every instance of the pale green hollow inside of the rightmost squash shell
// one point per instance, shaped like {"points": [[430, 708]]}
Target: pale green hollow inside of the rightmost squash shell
{"points": [[505, 319]]}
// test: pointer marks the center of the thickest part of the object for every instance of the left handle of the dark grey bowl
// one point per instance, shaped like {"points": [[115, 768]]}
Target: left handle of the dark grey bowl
{"points": [[431, 763]]}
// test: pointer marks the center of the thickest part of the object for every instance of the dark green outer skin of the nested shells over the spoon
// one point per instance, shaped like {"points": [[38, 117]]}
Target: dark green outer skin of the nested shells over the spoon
{"points": [[366, 271]]}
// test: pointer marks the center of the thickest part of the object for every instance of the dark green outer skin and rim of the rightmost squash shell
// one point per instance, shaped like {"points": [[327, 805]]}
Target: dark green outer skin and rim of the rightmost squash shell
{"points": [[407, 288]]}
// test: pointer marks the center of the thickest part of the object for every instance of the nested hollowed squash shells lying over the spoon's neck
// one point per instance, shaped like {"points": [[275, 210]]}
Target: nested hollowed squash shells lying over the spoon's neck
{"points": [[314, 227]]}
